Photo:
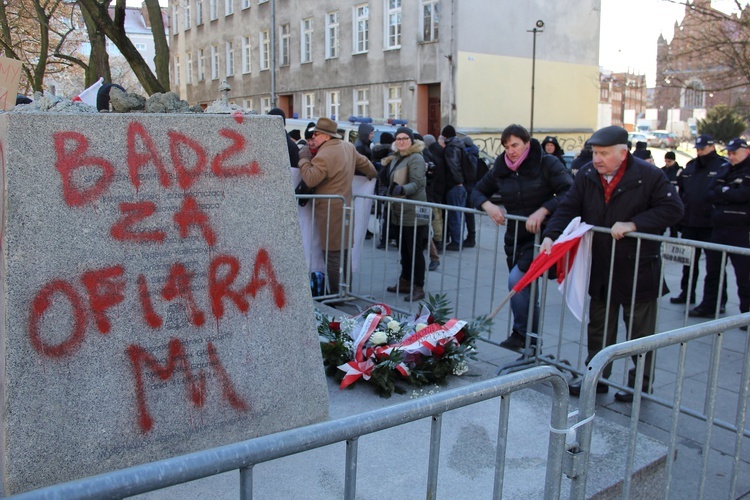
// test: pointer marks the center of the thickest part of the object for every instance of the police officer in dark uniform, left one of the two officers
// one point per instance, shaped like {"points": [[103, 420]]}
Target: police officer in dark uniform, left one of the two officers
{"points": [[692, 185]]}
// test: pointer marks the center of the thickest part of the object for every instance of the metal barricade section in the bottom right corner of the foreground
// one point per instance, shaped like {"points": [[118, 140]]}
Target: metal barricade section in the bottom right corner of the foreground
{"points": [[680, 422]]}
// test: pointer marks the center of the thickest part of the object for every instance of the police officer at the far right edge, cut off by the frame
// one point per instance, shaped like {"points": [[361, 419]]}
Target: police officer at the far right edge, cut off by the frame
{"points": [[730, 196]]}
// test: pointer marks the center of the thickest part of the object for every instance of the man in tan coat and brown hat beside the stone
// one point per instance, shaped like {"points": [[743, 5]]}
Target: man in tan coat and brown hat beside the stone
{"points": [[331, 172]]}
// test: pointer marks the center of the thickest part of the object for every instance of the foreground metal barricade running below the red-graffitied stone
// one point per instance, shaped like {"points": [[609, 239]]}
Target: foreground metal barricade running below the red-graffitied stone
{"points": [[243, 456]]}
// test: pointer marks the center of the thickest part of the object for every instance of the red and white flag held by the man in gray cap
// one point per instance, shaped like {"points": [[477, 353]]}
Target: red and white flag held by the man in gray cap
{"points": [[572, 262]]}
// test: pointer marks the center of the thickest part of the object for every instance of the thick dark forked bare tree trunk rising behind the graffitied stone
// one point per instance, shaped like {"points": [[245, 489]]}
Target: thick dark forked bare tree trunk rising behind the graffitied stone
{"points": [[114, 29]]}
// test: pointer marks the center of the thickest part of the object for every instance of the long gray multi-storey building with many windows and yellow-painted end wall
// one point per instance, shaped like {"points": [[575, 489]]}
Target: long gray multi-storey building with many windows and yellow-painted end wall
{"points": [[424, 61]]}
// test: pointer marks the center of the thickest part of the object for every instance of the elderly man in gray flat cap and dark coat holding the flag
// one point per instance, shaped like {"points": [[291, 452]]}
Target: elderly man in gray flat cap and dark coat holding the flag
{"points": [[626, 194]]}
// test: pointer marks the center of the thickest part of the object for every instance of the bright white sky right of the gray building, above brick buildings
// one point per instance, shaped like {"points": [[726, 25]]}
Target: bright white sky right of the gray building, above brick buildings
{"points": [[630, 29]]}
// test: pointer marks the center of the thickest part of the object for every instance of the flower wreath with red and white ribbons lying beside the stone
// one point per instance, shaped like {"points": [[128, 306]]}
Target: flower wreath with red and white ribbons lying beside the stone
{"points": [[375, 347]]}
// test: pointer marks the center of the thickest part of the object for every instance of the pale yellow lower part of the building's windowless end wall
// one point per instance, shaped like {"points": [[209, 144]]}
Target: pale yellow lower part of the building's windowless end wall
{"points": [[495, 91]]}
